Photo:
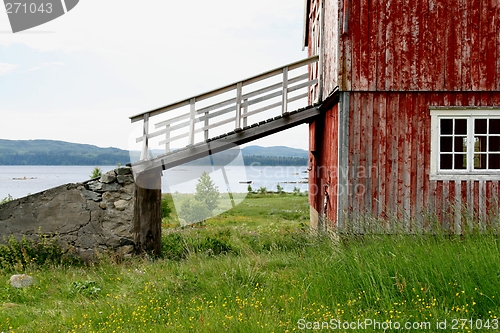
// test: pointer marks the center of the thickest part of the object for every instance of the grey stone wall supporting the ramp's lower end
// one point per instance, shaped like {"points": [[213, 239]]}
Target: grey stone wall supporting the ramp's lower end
{"points": [[90, 217]]}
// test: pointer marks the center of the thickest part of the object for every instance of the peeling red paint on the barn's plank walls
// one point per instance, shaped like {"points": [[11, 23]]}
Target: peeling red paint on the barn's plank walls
{"points": [[395, 59]]}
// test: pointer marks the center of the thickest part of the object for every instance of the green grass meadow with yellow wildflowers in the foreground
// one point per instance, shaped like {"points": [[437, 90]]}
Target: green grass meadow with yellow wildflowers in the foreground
{"points": [[255, 269]]}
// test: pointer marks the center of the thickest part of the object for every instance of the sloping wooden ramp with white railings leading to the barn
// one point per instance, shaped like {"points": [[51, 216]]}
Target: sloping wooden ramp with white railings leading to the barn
{"points": [[218, 120]]}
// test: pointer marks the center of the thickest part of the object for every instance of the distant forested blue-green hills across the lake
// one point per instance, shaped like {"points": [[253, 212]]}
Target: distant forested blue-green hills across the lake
{"points": [[51, 152]]}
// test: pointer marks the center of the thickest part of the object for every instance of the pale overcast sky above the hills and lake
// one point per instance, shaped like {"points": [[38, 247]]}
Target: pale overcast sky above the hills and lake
{"points": [[81, 76]]}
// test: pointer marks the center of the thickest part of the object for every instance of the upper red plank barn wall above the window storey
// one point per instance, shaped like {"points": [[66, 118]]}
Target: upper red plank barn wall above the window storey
{"points": [[418, 45]]}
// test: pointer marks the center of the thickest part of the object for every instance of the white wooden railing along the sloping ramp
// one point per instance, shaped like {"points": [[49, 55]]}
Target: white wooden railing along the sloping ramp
{"points": [[205, 113]]}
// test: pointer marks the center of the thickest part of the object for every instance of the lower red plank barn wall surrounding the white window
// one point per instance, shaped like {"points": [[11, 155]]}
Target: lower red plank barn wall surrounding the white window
{"points": [[389, 160]]}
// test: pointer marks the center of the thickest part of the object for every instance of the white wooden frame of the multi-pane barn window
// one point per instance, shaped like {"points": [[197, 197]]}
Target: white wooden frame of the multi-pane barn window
{"points": [[469, 113]]}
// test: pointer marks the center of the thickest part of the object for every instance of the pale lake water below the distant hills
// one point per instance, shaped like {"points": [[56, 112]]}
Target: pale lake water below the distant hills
{"points": [[19, 181]]}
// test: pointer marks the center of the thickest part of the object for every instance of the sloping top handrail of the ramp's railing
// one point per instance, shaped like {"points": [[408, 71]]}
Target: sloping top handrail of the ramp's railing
{"points": [[226, 88]]}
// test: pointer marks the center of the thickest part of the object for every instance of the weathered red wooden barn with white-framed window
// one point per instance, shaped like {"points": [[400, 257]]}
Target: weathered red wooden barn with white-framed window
{"points": [[410, 129]]}
